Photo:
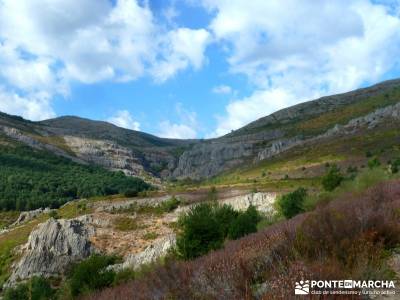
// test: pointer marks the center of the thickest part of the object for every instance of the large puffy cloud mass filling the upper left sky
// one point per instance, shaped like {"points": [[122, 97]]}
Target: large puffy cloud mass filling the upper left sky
{"points": [[46, 44]]}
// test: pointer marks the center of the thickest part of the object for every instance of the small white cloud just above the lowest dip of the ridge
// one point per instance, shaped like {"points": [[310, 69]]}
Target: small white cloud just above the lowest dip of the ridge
{"points": [[186, 128]]}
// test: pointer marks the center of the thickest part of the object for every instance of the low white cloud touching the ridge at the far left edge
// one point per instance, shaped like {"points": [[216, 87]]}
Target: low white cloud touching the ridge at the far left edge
{"points": [[33, 107]]}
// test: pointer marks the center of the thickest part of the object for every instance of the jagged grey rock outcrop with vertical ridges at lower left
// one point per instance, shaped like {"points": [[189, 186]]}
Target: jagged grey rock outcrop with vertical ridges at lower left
{"points": [[52, 247]]}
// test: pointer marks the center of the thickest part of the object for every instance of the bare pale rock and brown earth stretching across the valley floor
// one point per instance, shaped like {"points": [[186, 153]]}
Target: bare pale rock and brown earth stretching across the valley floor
{"points": [[57, 243]]}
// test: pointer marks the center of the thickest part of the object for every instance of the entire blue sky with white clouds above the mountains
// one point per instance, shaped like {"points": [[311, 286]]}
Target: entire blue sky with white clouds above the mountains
{"points": [[184, 68]]}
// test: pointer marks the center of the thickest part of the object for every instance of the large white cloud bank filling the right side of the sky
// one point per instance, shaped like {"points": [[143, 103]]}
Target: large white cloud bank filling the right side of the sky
{"points": [[304, 49]]}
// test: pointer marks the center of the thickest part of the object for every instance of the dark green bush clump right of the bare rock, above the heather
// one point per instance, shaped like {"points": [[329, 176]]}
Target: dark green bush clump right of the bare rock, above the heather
{"points": [[206, 227]]}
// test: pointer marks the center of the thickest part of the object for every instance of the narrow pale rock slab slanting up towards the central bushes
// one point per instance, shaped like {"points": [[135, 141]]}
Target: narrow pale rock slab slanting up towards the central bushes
{"points": [[153, 252]]}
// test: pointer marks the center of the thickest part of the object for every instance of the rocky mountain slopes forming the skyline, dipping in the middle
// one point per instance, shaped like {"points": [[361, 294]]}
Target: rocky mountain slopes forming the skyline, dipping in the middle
{"points": [[148, 156]]}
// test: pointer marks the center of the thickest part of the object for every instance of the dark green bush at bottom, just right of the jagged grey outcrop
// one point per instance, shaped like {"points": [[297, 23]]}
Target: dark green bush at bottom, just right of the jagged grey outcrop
{"points": [[90, 274]]}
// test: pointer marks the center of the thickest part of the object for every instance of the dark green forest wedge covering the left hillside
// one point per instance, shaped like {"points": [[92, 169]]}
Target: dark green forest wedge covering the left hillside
{"points": [[30, 179]]}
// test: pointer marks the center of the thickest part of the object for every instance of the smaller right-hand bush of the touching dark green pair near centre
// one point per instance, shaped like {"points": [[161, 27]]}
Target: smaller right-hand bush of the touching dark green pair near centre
{"points": [[245, 223]]}
